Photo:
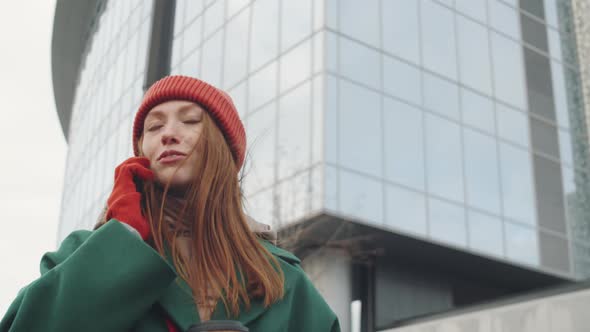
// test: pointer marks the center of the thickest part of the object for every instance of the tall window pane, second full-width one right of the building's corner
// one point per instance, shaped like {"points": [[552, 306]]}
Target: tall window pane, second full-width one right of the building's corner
{"points": [[404, 144]]}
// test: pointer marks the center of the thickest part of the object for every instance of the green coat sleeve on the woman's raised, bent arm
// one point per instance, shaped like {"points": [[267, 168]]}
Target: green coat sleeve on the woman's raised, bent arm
{"points": [[96, 281]]}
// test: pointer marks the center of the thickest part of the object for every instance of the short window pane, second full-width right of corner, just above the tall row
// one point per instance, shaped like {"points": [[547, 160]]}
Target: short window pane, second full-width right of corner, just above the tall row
{"points": [[401, 80]]}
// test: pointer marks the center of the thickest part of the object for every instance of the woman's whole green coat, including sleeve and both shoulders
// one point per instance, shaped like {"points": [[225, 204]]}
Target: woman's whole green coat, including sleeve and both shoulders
{"points": [[111, 280]]}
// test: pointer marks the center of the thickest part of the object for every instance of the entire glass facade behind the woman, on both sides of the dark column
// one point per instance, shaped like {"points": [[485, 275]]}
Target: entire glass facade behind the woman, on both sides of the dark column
{"points": [[458, 121]]}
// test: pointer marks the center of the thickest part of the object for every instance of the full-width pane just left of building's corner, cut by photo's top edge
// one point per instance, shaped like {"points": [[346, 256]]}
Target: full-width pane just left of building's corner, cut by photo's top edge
{"points": [[295, 22]]}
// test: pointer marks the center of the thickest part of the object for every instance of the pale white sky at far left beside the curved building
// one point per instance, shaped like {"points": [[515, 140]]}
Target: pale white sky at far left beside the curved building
{"points": [[32, 145]]}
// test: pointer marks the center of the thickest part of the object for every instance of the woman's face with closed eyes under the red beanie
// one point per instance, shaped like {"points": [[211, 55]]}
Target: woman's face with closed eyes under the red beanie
{"points": [[170, 132]]}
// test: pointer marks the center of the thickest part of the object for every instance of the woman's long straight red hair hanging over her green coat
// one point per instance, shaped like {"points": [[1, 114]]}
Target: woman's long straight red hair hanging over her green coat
{"points": [[227, 258]]}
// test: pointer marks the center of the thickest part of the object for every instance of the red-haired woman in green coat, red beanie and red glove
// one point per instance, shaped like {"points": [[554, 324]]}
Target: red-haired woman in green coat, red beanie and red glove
{"points": [[175, 247]]}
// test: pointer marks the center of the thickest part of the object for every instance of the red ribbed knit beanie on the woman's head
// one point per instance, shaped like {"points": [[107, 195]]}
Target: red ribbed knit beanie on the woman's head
{"points": [[216, 102]]}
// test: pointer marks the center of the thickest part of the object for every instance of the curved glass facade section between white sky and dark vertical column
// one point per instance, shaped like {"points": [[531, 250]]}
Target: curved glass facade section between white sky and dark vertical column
{"points": [[108, 93]]}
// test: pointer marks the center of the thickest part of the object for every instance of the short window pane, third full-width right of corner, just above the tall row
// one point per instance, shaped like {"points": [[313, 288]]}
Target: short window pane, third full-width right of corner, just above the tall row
{"points": [[441, 96]]}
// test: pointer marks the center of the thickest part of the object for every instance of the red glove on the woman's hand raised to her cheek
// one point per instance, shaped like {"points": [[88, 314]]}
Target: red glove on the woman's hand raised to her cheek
{"points": [[124, 204]]}
